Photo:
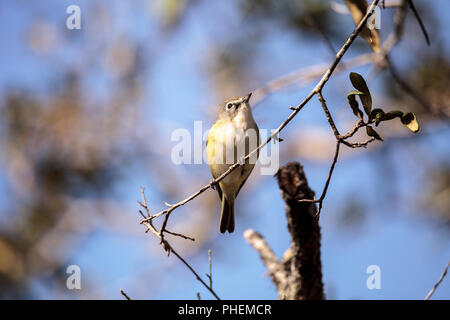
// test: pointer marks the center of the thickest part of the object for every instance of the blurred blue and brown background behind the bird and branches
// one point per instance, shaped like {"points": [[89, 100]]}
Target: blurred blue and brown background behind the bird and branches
{"points": [[86, 118]]}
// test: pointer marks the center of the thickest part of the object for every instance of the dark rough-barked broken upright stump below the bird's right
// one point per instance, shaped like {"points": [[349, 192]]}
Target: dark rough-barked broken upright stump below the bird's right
{"points": [[302, 262]]}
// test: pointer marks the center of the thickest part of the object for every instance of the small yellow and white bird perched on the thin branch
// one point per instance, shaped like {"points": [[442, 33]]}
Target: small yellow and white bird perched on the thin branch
{"points": [[233, 136]]}
